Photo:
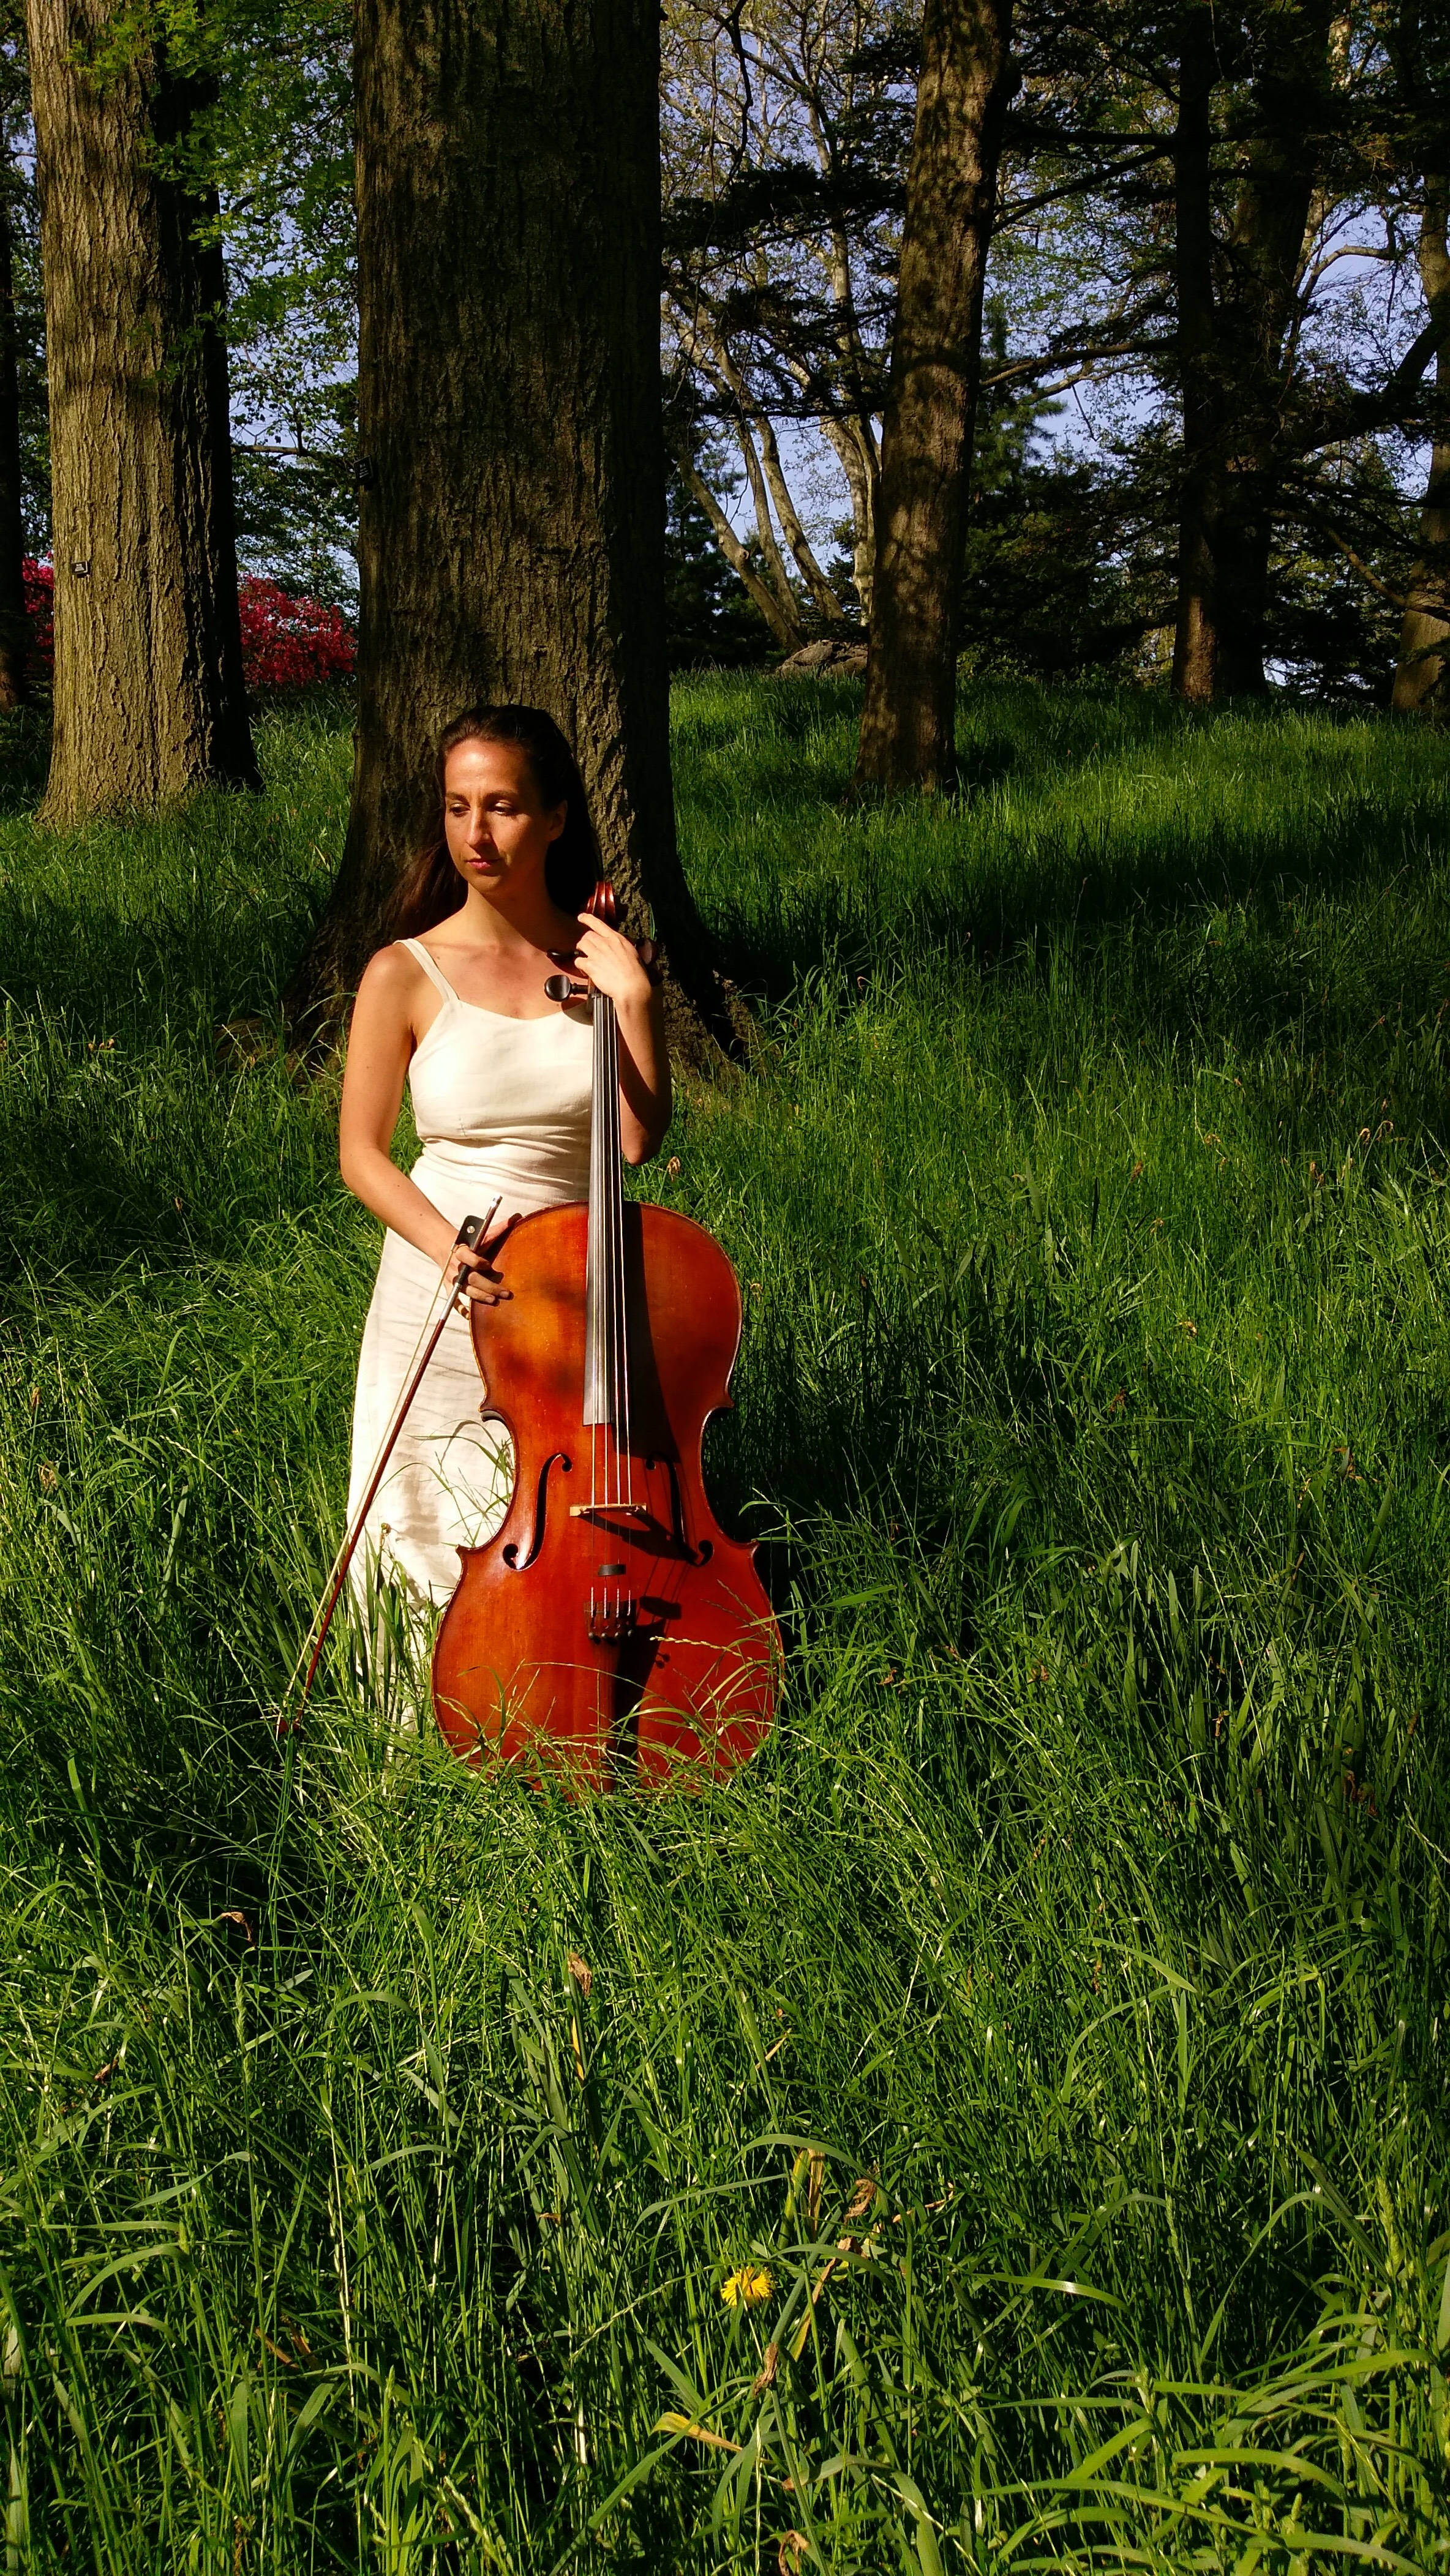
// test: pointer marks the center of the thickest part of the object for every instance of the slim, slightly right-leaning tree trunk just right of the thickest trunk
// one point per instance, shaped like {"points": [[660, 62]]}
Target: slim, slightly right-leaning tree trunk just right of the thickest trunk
{"points": [[908, 725]]}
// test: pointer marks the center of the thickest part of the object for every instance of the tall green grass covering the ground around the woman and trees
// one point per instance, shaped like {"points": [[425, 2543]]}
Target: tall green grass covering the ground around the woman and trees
{"points": [[1044, 2041]]}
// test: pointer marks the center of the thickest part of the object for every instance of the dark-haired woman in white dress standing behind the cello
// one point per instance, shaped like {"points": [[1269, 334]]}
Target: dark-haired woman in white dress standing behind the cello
{"points": [[501, 1099]]}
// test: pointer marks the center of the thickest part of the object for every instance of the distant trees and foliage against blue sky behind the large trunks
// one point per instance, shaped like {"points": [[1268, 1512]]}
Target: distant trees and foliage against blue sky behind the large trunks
{"points": [[1217, 290]]}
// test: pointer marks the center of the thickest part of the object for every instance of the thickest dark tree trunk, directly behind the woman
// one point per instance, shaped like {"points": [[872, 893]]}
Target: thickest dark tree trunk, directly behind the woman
{"points": [[509, 416]]}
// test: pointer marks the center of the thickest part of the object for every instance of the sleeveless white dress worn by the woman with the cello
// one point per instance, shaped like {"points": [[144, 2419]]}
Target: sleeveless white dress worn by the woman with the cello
{"points": [[504, 1112]]}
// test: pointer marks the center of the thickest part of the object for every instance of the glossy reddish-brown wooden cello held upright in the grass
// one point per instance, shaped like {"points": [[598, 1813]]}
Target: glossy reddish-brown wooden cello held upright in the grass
{"points": [[612, 1629]]}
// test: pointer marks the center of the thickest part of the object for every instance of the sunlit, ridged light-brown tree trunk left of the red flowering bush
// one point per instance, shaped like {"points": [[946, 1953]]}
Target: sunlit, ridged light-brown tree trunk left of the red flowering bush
{"points": [[148, 645]]}
